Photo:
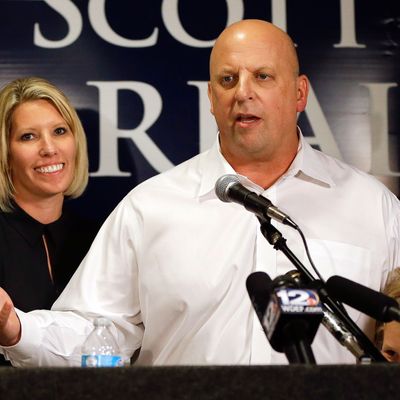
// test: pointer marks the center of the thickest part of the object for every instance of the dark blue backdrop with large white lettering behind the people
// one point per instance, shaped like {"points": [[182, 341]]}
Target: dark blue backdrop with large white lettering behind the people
{"points": [[137, 72]]}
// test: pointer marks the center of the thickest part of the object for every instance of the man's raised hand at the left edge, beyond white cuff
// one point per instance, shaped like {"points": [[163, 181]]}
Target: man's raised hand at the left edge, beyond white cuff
{"points": [[10, 326]]}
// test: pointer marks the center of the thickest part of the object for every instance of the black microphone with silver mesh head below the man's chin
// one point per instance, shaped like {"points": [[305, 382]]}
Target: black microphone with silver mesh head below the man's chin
{"points": [[229, 189]]}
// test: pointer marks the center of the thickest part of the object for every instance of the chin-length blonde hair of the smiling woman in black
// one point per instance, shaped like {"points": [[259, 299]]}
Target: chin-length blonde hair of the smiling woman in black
{"points": [[34, 88]]}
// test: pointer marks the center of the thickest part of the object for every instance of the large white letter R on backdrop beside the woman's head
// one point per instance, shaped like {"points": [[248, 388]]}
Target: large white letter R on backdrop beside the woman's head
{"points": [[109, 132]]}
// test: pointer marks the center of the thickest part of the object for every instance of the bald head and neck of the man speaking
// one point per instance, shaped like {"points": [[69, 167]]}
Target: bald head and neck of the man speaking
{"points": [[256, 92]]}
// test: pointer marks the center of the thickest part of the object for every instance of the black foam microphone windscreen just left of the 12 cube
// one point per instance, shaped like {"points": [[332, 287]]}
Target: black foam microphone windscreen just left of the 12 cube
{"points": [[259, 287]]}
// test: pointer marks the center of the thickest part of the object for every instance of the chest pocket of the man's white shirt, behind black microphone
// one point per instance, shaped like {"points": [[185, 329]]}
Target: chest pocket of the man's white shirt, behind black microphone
{"points": [[336, 258]]}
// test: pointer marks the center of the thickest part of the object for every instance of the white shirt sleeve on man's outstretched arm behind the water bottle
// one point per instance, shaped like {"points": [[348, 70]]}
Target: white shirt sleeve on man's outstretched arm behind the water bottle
{"points": [[105, 284]]}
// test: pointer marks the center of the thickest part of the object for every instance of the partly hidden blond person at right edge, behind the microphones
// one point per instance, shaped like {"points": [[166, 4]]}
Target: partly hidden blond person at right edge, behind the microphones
{"points": [[388, 334]]}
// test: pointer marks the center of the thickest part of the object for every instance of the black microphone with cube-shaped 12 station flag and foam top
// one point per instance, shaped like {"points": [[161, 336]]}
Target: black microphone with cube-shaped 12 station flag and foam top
{"points": [[289, 316]]}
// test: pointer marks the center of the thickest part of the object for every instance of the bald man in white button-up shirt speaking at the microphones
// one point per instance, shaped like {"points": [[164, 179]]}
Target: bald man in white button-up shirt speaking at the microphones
{"points": [[169, 265]]}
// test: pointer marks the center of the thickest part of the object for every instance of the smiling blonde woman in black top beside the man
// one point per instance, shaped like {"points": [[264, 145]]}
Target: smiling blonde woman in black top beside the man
{"points": [[43, 160]]}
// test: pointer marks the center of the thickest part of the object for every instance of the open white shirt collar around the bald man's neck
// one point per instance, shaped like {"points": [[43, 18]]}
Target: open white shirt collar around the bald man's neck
{"points": [[306, 166]]}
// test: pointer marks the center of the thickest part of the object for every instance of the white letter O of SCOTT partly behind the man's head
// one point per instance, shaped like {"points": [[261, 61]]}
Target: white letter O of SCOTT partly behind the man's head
{"points": [[170, 14]]}
